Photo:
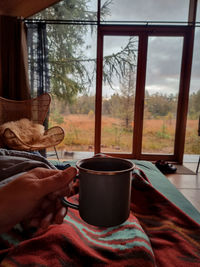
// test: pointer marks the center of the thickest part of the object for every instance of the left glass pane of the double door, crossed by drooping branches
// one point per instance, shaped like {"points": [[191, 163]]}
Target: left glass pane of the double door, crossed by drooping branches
{"points": [[119, 68]]}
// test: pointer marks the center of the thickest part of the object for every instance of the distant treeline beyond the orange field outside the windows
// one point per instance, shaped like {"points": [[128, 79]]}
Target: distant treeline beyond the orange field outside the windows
{"points": [[122, 106]]}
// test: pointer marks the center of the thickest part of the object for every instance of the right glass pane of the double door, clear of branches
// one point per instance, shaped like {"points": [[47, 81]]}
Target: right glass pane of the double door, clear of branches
{"points": [[161, 94]]}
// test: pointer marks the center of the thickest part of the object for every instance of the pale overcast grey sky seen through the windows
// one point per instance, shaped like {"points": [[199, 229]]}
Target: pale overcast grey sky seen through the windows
{"points": [[164, 53]]}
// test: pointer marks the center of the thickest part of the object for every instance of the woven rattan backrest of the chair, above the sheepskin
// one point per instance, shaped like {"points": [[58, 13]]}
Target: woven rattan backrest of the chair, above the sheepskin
{"points": [[34, 109]]}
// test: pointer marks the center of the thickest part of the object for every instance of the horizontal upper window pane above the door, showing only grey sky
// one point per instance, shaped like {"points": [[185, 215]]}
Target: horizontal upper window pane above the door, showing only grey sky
{"points": [[151, 10]]}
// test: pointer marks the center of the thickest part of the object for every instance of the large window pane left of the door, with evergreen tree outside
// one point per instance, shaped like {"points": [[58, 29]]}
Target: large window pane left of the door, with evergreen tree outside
{"points": [[72, 72]]}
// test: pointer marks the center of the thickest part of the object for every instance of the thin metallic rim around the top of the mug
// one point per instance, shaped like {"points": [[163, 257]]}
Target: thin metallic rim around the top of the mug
{"points": [[79, 162]]}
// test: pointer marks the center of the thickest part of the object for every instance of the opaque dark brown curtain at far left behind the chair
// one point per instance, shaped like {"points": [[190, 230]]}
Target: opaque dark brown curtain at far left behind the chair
{"points": [[14, 83]]}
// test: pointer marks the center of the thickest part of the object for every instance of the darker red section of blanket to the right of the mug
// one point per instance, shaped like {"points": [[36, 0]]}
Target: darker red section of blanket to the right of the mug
{"points": [[175, 237]]}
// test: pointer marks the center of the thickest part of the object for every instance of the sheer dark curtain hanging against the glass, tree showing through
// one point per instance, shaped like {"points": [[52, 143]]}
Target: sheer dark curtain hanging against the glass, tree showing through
{"points": [[38, 58]]}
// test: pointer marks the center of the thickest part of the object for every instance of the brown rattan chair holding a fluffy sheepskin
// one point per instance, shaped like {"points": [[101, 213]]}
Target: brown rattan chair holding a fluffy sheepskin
{"points": [[35, 110]]}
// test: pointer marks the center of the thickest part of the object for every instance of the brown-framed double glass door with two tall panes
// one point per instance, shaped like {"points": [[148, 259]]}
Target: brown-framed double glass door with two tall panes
{"points": [[142, 89]]}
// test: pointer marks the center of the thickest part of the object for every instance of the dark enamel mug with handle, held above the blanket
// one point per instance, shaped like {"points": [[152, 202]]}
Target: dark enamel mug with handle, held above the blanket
{"points": [[105, 190]]}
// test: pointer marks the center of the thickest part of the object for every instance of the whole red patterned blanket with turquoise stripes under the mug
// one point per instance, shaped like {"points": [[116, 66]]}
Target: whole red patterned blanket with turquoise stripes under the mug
{"points": [[157, 233]]}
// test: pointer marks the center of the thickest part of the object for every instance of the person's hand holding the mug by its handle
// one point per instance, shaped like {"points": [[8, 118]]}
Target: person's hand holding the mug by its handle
{"points": [[35, 196]]}
